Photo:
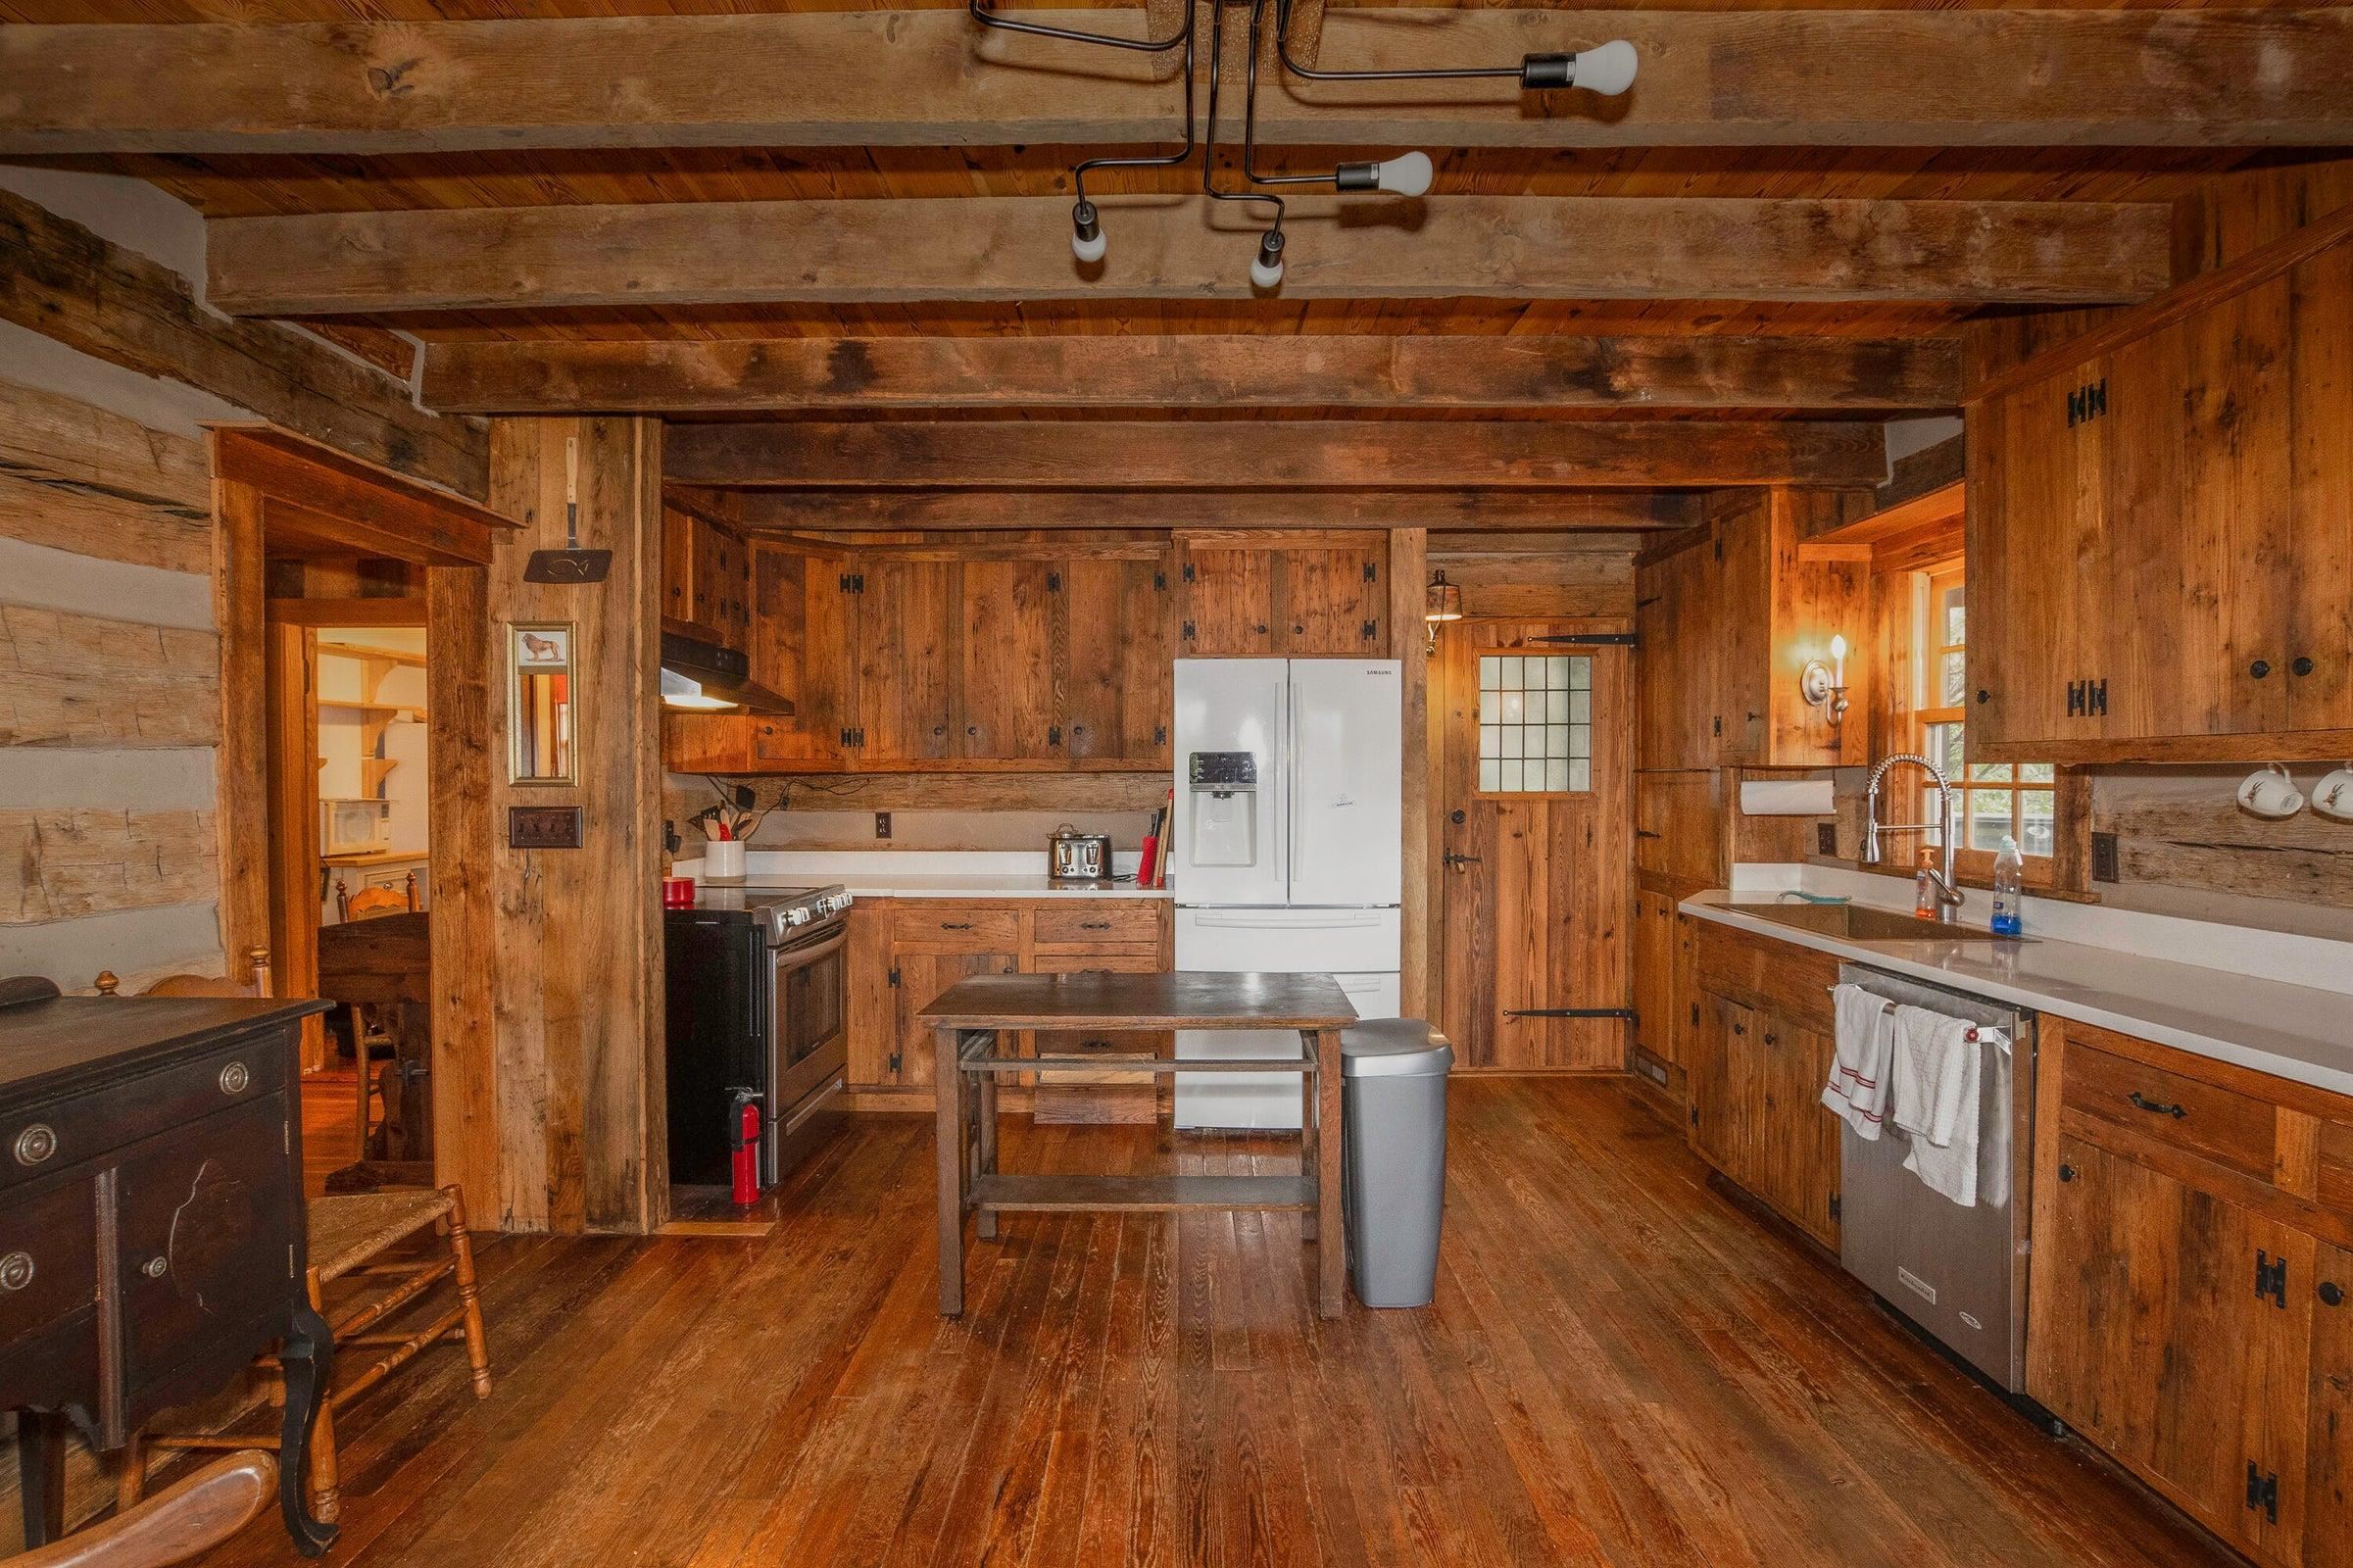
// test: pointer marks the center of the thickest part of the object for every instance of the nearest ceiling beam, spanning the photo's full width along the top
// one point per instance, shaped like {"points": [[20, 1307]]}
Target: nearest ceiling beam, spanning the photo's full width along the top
{"points": [[926, 79]]}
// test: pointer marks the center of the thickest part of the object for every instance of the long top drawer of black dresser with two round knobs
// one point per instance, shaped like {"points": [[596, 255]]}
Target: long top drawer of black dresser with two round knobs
{"points": [[84, 1127]]}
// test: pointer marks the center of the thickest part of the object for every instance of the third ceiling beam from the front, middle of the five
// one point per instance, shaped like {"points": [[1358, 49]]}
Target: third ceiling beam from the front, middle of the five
{"points": [[1192, 371]]}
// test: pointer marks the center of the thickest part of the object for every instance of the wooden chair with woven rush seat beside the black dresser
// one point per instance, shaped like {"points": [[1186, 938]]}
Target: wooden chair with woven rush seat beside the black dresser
{"points": [[352, 1237]]}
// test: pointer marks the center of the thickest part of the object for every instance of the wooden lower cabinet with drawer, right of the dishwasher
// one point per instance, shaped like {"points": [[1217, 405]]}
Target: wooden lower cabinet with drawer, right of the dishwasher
{"points": [[2192, 1308]]}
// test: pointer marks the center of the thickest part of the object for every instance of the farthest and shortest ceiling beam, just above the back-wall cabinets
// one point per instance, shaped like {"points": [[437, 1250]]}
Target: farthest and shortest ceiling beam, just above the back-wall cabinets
{"points": [[1465, 512]]}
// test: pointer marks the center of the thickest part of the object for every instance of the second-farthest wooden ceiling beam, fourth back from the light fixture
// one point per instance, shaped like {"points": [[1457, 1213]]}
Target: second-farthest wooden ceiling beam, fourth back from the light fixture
{"points": [[1279, 453]]}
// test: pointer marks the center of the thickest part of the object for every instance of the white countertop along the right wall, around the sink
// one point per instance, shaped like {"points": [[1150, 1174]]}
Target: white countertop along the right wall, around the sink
{"points": [[2300, 1032]]}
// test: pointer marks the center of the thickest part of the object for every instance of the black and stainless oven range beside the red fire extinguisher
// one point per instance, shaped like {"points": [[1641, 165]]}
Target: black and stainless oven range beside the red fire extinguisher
{"points": [[756, 1009]]}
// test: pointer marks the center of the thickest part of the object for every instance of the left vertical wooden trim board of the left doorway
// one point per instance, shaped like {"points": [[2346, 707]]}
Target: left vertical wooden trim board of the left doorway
{"points": [[244, 717]]}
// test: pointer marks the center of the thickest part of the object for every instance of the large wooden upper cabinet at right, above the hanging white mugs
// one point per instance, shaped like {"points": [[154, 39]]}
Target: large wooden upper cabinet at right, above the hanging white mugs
{"points": [[2159, 545]]}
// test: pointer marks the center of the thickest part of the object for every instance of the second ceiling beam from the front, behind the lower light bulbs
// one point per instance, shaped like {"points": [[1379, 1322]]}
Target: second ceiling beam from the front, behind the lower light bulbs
{"points": [[1187, 248]]}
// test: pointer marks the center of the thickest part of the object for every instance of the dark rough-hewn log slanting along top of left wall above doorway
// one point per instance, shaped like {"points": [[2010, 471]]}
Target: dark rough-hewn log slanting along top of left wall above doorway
{"points": [[116, 305]]}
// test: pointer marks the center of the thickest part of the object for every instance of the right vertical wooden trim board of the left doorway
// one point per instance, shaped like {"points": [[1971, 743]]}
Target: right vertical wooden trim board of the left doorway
{"points": [[462, 750]]}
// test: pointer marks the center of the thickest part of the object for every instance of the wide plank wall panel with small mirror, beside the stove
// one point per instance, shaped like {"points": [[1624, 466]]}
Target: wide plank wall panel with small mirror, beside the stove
{"points": [[580, 931]]}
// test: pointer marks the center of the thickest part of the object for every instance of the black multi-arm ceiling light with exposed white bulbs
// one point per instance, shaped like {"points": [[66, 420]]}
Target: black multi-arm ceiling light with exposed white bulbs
{"points": [[1606, 69]]}
